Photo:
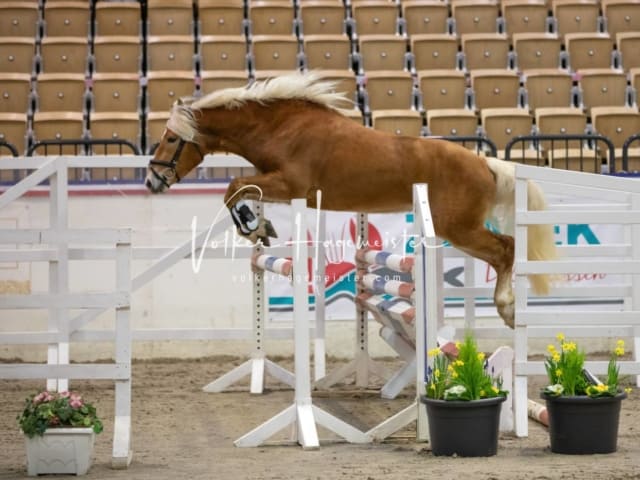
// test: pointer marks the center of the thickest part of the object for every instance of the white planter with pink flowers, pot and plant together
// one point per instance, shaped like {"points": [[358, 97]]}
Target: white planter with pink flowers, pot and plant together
{"points": [[59, 430]]}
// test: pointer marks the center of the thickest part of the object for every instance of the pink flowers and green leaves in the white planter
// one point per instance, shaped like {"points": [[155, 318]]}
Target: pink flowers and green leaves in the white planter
{"points": [[57, 410]]}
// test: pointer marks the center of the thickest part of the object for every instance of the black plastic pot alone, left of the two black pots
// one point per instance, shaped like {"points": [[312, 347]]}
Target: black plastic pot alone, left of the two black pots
{"points": [[466, 429]]}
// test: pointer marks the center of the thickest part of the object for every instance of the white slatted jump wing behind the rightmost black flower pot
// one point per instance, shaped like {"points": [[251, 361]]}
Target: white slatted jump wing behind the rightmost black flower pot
{"points": [[616, 259]]}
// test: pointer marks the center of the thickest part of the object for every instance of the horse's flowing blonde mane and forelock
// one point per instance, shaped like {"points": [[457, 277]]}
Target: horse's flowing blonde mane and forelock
{"points": [[295, 86]]}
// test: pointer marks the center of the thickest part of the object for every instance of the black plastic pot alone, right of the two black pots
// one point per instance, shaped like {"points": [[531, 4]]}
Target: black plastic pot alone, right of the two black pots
{"points": [[582, 425]]}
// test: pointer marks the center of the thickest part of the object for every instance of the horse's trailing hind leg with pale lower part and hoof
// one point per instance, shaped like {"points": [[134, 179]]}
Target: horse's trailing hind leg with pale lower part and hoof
{"points": [[498, 251]]}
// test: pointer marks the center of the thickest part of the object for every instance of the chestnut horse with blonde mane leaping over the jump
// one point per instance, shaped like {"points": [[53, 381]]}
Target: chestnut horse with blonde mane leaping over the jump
{"points": [[291, 129]]}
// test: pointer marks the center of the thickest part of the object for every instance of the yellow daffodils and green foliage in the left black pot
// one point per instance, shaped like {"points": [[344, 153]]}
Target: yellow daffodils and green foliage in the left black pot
{"points": [[465, 378]]}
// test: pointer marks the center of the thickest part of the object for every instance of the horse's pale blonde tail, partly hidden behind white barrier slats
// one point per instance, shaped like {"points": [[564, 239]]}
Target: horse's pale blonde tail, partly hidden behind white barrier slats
{"points": [[540, 239]]}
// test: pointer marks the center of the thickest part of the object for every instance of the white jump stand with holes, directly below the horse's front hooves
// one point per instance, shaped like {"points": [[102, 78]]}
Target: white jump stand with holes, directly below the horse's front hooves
{"points": [[258, 365]]}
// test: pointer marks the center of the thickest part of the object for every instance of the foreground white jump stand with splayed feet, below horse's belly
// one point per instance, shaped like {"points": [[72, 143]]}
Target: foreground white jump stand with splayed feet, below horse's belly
{"points": [[302, 414]]}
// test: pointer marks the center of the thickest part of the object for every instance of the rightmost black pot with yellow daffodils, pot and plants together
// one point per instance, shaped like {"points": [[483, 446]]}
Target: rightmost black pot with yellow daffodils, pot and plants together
{"points": [[583, 412]]}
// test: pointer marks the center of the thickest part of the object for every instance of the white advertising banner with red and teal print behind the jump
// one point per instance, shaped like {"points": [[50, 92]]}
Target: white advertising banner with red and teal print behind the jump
{"points": [[392, 232]]}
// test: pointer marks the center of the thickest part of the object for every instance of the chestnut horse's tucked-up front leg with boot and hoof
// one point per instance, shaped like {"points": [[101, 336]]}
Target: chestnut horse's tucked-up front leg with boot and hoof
{"points": [[268, 187]]}
